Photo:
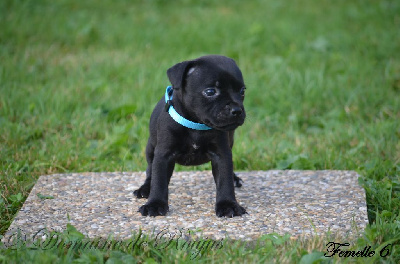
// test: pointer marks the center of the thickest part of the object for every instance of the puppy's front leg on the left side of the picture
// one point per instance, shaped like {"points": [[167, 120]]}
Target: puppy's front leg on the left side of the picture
{"points": [[162, 168]]}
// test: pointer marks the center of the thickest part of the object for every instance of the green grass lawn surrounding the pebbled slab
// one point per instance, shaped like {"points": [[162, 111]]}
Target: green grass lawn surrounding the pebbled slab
{"points": [[79, 79]]}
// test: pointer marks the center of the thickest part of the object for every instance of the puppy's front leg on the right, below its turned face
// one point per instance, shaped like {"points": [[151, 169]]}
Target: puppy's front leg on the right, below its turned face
{"points": [[222, 168]]}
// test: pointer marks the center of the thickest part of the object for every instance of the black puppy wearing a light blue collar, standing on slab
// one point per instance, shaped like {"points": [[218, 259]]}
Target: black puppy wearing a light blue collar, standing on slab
{"points": [[193, 124]]}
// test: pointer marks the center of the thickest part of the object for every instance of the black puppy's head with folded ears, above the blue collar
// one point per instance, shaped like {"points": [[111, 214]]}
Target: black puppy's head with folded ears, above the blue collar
{"points": [[210, 90]]}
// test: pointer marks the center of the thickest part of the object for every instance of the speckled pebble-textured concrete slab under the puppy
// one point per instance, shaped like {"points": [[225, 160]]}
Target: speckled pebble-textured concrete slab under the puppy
{"points": [[103, 205]]}
